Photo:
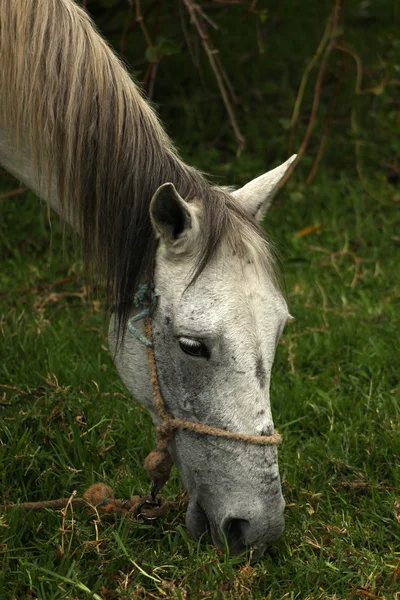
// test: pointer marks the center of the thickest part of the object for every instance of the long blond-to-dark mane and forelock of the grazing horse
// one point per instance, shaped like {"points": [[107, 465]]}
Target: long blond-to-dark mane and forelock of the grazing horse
{"points": [[94, 139]]}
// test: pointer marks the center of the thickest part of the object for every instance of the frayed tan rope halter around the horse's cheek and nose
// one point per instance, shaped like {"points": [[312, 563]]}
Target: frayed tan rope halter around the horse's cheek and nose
{"points": [[159, 462]]}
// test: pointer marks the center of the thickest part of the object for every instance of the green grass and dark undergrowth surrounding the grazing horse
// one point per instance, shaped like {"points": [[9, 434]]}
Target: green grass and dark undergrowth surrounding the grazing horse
{"points": [[320, 78]]}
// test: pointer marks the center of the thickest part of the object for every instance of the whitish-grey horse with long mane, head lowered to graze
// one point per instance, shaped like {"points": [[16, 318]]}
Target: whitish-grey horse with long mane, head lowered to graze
{"points": [[76, 130]]}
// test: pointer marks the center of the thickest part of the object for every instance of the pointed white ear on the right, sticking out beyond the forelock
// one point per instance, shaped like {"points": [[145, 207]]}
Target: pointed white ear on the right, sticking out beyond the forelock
{"points": [[256, 195]]}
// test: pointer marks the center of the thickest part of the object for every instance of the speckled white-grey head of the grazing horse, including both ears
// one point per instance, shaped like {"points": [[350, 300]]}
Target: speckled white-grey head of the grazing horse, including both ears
{"points": [[214, 338]]}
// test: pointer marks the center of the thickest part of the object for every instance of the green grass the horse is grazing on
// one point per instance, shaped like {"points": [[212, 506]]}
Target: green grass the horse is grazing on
{"points": [[66, 420]]}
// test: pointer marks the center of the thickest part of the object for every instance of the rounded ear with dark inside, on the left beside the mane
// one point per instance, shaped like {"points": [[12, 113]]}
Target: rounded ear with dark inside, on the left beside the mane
{"points": [[170, 215]]}
